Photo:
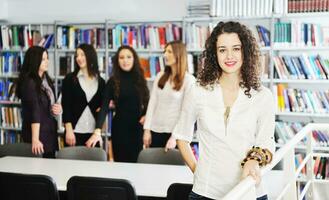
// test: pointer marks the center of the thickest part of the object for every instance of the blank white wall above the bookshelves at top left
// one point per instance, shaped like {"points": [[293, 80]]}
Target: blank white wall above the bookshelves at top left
{"points": [[43, 11]]}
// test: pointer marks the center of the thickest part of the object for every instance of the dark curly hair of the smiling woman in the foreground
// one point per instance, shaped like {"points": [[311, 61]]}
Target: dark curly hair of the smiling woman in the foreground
{"points": [[210, 71]]}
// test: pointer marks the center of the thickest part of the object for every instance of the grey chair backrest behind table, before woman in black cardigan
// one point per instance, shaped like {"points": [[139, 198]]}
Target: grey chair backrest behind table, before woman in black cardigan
{"points": [[82, 153]]}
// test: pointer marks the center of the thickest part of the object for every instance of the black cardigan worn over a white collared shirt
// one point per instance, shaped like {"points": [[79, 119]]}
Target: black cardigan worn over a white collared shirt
{"points": [[74, 100]]}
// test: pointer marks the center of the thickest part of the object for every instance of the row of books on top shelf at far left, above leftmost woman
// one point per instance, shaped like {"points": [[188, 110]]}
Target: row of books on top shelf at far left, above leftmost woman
{"points": [[23, 37]]}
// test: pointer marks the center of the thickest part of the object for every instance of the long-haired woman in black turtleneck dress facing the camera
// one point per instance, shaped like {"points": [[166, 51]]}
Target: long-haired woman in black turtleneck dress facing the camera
{"points": [[127, 88]]}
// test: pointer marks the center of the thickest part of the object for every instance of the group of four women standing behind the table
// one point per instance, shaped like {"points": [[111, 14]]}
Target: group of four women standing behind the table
{"points": [[86, 100]]}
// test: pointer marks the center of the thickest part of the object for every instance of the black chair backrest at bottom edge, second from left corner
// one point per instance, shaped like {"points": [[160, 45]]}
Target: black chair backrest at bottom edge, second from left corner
{"points": [[92, 188]]}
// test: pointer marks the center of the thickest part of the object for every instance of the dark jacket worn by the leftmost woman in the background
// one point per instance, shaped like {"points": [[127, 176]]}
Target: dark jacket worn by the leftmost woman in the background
{"points": [[36, 108]]}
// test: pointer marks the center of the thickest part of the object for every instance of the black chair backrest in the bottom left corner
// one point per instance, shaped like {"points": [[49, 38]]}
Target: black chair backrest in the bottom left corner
{"points": [[27, 186]]}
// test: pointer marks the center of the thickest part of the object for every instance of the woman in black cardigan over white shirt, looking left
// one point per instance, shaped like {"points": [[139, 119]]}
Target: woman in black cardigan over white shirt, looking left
{"points": [[81, 96]]}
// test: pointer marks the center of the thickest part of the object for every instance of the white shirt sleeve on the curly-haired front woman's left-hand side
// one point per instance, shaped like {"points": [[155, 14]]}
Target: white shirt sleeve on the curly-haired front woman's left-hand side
{"points": [[184, 128]]}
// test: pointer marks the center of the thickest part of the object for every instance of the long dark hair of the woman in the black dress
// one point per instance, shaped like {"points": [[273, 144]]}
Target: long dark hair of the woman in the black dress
{"points": [[138, 76]]}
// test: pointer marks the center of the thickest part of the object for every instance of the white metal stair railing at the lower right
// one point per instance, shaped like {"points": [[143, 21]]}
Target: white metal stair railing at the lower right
{"points": [[246, 188]]}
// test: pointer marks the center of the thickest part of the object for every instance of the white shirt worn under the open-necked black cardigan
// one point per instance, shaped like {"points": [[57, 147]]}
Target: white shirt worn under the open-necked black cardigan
{"points": [[86, 122]]}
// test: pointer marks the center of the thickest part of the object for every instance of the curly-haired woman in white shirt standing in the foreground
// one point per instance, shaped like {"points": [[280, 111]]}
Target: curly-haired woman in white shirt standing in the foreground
{"points": [[233, 111]]}
